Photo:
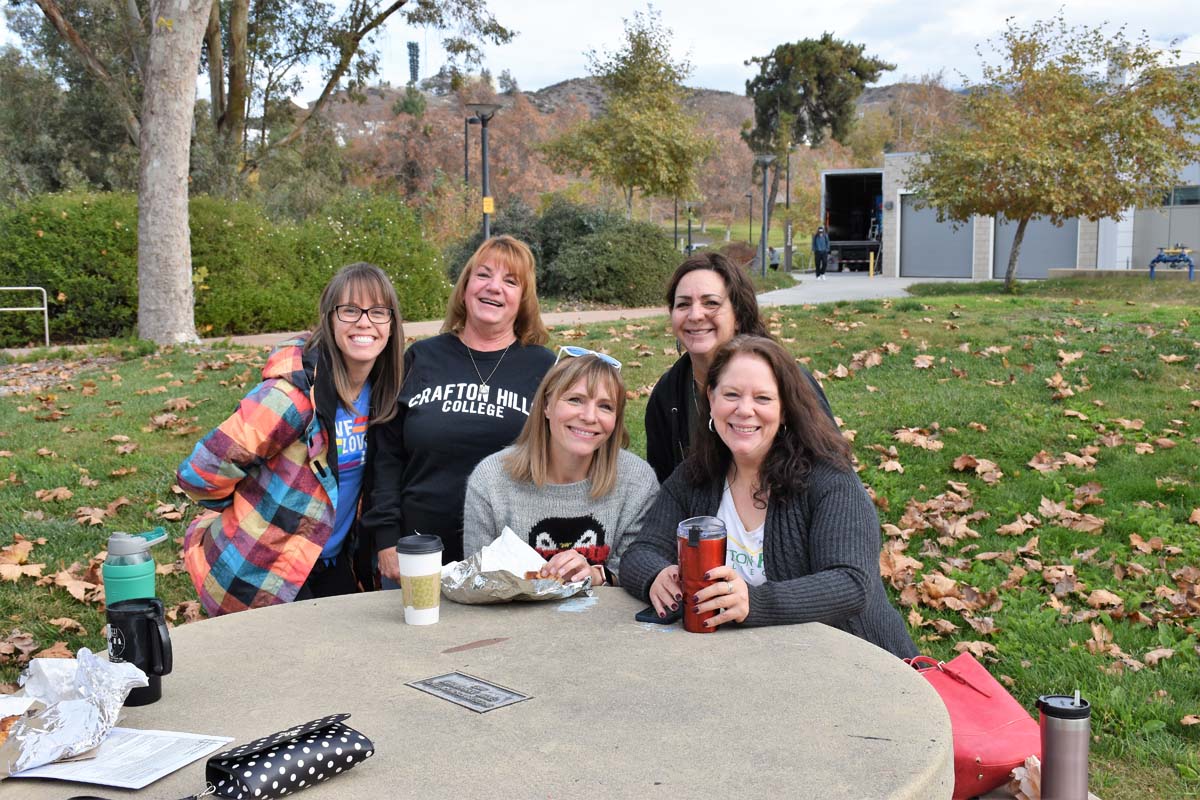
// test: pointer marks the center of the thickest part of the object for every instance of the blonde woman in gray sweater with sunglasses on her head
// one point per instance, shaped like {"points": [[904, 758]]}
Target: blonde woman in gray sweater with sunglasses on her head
{"points": [[567, 486]]}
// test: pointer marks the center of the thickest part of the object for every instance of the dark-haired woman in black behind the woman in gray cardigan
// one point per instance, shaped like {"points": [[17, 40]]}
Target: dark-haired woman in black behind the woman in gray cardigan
{"points": [[711, 302]]}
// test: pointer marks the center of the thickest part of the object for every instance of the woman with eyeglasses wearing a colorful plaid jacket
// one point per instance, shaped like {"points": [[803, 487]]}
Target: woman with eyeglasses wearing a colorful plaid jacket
{"points": [[283, 477]]}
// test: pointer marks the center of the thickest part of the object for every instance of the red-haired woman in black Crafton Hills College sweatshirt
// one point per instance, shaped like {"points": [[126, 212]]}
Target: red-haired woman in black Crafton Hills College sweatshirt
{"points": [[467, 394]]}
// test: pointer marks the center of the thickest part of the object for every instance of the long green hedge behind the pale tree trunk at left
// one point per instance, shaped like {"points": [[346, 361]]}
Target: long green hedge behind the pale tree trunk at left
{"points": [[251, 275]]}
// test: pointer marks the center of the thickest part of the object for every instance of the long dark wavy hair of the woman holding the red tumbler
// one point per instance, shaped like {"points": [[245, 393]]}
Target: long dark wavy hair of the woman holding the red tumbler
{"points": [[806, 436]]}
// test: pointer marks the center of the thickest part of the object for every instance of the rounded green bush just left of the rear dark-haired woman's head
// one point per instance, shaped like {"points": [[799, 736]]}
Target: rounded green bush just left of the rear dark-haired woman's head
{"points": [[627, 264]]}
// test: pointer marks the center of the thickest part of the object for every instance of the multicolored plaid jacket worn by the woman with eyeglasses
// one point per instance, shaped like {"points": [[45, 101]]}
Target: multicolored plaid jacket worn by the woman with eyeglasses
{"points": [[272, 494]]}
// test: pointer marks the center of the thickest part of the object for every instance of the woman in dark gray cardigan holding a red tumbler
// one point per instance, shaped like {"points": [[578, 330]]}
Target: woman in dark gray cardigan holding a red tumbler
{"points": [[803, 536]]}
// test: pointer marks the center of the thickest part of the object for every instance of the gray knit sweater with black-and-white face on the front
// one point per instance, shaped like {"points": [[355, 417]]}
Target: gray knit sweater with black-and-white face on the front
{"points": [[559, 516]]}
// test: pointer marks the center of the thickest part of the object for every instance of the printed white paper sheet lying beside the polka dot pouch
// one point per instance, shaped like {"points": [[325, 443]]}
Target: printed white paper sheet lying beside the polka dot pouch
{"points": [[134, 760]]}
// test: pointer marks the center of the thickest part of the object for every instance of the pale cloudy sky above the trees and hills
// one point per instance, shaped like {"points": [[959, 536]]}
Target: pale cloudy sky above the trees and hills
{"points": [[920, 37]]}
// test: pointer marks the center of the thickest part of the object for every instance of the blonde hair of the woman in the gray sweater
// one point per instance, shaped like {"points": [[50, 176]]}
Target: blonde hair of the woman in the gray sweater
{"points": [[530, 459]]}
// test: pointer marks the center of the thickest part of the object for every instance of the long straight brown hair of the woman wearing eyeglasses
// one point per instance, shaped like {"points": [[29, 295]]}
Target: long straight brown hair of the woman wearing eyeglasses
{"points": [[388, 370]]}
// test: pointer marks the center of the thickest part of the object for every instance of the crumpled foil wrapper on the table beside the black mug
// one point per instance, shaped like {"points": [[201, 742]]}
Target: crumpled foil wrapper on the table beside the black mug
{"points": [[82, 700]]}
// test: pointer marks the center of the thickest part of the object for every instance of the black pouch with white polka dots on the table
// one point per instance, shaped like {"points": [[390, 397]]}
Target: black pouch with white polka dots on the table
{"points": [[289, 762]]}
